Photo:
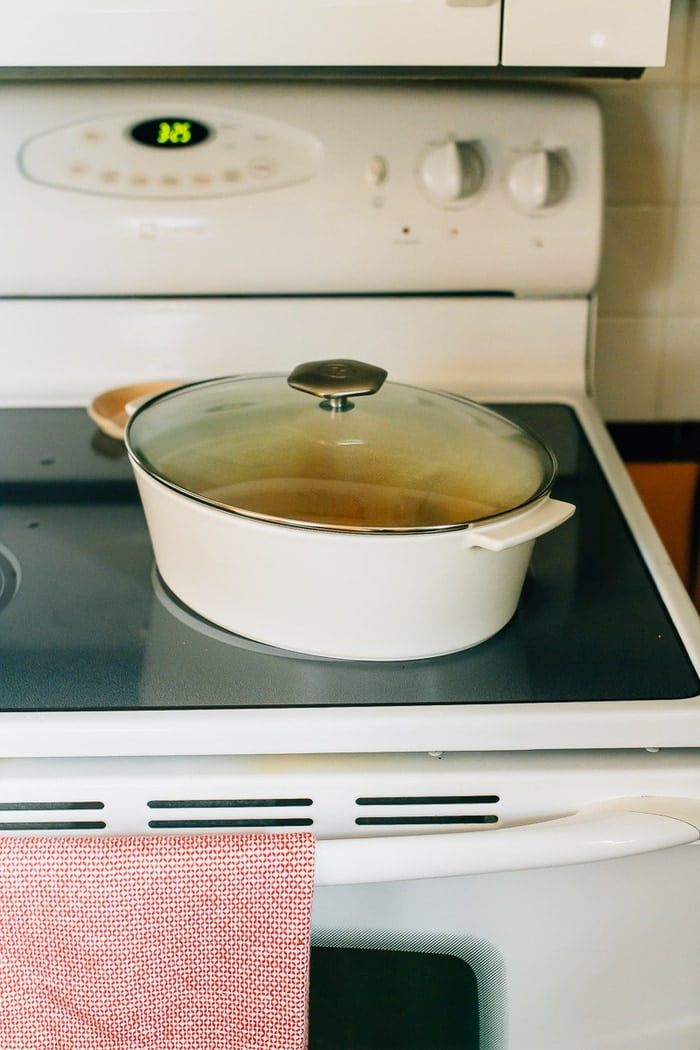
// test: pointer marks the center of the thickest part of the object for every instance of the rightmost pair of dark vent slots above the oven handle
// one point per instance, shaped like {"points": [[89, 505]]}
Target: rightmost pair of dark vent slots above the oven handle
{"points": [[434, 810]]}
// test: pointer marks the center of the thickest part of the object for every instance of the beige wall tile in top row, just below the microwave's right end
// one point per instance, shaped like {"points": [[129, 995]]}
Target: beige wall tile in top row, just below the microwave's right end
{"points": [[643, 139]]}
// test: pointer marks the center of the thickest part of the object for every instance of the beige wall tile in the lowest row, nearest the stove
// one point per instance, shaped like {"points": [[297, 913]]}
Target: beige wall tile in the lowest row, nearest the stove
{"points": [[628, 368]]}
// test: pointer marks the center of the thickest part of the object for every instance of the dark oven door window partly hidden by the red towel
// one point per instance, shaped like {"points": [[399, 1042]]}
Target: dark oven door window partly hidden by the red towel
{"points": [[377, 999]]}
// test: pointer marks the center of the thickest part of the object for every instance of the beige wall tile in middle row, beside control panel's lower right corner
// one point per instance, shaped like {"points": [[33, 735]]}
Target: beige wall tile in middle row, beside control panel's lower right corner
{"points": [[634, 275]]}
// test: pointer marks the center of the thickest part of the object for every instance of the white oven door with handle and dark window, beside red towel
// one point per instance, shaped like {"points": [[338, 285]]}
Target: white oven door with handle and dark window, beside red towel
{"points": [[528, 950]]}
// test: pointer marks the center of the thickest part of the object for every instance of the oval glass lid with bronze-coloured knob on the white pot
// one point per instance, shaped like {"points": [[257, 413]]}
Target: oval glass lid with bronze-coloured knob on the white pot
{"points": [[405, 461]]}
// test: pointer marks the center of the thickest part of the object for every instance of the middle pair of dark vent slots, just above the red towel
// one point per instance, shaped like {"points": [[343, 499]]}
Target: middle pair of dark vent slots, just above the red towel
{"points": [[274, 813]]}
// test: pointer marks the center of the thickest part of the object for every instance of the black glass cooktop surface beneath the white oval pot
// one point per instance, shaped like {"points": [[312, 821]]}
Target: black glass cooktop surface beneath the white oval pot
{"points": [[87, 624]]}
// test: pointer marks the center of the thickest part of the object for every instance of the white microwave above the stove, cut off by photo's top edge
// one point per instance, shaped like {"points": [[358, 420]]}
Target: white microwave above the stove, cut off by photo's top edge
{"points": [[332, 34]]}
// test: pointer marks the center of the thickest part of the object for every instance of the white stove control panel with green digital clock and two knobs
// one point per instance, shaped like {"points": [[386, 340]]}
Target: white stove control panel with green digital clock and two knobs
{"points": [[225, 188]]}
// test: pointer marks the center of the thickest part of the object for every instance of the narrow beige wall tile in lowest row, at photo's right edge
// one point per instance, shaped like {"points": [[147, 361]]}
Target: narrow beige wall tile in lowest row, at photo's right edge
{"points": [[680, 388]]}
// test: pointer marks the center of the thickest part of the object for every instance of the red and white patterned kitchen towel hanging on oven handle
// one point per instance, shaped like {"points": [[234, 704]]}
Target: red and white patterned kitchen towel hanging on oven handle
{"points": [[156, 942]]}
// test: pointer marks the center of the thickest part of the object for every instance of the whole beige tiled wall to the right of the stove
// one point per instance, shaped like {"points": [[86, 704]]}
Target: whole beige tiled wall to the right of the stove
{"points": [[648, 354]]}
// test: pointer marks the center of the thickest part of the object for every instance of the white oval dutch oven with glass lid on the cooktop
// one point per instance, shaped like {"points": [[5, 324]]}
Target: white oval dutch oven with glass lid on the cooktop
{"points": [[396, 528]]}
